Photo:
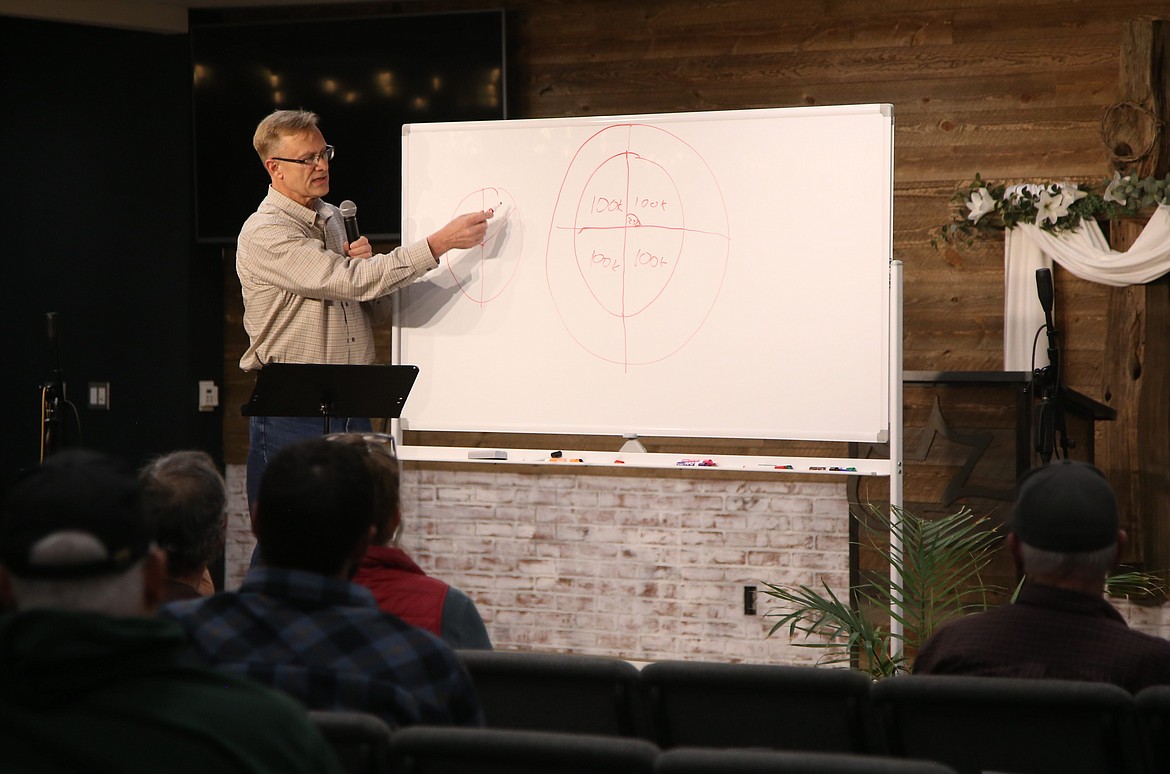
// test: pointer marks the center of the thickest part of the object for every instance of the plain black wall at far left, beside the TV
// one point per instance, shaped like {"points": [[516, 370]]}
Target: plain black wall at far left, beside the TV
{"points": [[97, 142]]}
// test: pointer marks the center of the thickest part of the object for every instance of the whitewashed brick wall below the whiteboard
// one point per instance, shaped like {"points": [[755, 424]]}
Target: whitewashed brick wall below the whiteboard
{"points": [[637, 568]]}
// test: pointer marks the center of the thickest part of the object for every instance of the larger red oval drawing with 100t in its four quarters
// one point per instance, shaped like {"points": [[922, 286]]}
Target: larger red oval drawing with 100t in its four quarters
{"points": [[639, 245]]}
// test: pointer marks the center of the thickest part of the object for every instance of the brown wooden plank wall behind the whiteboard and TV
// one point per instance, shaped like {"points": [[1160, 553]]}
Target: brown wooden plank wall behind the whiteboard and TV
{"points": [[1010, 91]]}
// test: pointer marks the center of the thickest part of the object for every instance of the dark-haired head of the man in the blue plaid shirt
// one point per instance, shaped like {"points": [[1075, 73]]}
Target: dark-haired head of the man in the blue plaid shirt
{"points": [[316, 509]]}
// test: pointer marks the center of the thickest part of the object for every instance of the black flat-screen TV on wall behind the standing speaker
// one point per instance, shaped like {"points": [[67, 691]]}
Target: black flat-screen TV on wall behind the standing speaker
{"points": [[363, 77]]}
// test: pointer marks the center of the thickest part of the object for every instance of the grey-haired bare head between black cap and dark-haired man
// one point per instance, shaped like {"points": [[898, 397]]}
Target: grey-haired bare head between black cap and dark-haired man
{"points": [[185, 496]]}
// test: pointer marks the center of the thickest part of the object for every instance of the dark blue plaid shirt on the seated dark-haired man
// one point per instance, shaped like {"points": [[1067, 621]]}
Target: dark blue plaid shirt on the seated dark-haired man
{"points": [[326, 642]]}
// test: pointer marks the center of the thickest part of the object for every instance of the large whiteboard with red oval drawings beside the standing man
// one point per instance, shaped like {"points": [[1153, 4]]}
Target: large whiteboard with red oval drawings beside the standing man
{"points": [[719, 274]]}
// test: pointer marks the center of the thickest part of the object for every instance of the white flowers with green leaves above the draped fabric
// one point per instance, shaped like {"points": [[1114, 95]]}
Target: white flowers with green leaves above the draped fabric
{"points": [[983, 208]]}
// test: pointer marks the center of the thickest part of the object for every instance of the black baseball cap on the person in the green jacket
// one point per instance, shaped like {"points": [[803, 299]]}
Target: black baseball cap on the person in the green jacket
{"points": [[77, 492]]}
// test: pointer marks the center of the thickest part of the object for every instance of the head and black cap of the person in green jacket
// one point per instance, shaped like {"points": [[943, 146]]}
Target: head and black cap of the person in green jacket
{"points": [[74, 536]]}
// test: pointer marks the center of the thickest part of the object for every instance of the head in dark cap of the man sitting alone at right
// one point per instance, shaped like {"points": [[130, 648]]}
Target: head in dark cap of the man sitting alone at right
{"points": [[1065, 528]]}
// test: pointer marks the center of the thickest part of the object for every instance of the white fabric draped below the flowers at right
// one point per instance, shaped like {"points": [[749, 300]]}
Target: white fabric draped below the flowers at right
{"points": [[1086, 254]]}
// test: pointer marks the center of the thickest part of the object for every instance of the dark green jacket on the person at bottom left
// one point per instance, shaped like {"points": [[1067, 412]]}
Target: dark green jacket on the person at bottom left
{"points": [[88, 693]]}
